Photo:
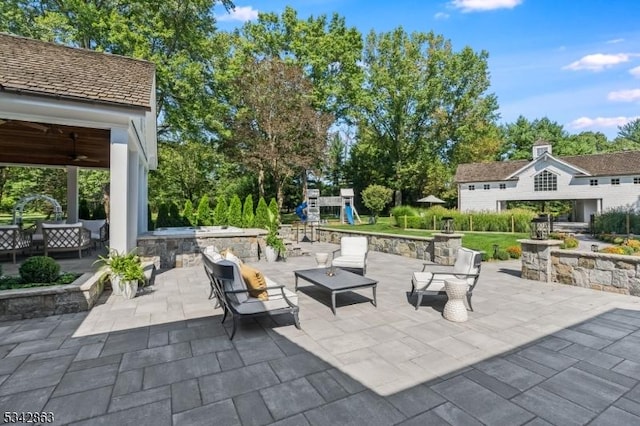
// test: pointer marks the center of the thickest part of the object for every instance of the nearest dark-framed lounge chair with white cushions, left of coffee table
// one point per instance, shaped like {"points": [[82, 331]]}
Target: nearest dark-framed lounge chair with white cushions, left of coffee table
{"points": [[233, 294]]}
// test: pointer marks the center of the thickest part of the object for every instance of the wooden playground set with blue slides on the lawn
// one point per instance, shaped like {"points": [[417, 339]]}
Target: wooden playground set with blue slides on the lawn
{"points": [[314, 202]]}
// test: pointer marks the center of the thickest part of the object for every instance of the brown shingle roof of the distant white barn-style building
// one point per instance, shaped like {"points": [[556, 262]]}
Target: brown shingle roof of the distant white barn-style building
{"points": [[612, 164]]}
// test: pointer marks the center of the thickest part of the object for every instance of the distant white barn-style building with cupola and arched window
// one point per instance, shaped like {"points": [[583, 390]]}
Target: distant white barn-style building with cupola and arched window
{"points": [[595, 183]]}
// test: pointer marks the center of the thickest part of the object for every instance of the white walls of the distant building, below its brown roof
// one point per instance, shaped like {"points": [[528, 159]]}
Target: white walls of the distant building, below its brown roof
{"points": [[626, 195]]}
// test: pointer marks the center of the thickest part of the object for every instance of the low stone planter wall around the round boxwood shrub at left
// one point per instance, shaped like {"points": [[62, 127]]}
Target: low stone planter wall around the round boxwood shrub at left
{"points": [[78, 296]]}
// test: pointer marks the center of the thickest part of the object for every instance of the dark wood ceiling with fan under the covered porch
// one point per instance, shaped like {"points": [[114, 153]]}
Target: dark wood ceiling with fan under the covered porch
{"points": [[45, 144]]}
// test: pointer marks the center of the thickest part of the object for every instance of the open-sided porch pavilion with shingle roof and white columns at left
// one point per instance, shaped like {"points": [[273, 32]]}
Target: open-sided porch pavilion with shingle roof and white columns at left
{"points": [[76, 108]]}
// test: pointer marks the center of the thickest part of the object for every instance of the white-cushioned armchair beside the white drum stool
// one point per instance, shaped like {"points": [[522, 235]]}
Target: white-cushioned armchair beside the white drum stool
{"points": [[467, 267]]}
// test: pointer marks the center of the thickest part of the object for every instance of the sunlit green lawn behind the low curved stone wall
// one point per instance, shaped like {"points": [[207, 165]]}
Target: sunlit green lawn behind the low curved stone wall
{"points": [[481, 241]]}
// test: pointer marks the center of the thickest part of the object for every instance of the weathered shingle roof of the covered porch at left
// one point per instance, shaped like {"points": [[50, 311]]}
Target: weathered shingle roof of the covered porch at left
{"points": [[47, 69]]}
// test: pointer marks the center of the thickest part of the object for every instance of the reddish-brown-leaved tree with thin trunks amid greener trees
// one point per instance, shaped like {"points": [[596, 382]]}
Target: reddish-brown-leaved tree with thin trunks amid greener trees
{"points": [[276, 128]]}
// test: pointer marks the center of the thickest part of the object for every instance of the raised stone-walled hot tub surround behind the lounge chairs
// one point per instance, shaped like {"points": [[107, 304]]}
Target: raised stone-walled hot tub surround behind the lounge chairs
{"points": [[181, 247]]}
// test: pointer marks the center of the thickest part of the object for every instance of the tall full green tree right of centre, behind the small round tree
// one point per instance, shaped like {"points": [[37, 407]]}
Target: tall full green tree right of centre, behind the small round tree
{"points": [[421, 101]]}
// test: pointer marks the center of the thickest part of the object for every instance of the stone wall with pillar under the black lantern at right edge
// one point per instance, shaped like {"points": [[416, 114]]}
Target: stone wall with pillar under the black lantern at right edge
{"points": [[544, 261]]}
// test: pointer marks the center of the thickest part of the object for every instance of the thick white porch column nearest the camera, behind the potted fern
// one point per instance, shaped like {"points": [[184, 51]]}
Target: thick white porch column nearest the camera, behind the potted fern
{"points": [[119, 188]]}
